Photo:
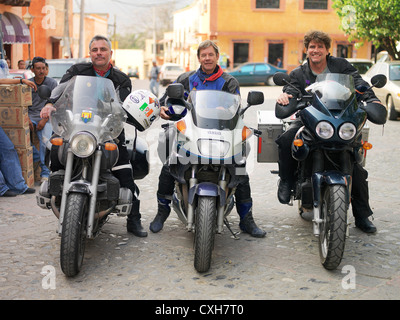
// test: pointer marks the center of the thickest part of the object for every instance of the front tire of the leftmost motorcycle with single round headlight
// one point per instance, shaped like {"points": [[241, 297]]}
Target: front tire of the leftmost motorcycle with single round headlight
{"points": [[73, 236]]}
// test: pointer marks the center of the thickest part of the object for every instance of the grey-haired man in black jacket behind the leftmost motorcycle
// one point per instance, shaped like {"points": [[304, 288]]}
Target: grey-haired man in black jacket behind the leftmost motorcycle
{"points": [[100, 54]]}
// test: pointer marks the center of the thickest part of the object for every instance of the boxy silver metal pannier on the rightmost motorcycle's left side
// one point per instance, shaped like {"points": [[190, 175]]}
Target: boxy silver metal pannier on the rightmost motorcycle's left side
{"points": [[271, 127]]}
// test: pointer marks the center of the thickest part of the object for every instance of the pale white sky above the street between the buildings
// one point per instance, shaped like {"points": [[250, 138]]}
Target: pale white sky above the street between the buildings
{"points": [[130, 14]]}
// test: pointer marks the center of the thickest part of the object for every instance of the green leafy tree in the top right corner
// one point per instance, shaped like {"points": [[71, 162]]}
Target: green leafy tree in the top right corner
{"points": [[372, 20]]}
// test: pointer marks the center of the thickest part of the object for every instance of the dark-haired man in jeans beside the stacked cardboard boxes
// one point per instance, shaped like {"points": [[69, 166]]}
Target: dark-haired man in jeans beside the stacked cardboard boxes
{"points": [[41, 126]]}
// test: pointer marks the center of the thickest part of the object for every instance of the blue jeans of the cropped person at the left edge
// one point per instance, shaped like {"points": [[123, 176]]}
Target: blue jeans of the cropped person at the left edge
{"points": [[10, 169]]}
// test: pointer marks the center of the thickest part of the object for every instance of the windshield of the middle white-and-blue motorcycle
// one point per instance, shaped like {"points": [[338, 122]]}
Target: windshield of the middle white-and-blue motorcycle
{"points": [[213, 109]]}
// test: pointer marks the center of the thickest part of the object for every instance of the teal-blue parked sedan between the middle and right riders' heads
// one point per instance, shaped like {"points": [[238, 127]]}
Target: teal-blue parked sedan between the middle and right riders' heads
{"points": [[255, 72]]}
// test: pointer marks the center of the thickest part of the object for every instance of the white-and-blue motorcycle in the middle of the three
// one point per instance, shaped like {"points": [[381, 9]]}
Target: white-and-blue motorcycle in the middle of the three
{"points": [[206, 153]]}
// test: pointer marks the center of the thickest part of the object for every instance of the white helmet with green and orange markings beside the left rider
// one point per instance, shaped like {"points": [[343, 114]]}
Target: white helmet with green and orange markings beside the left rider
{"points": [[142, 108]]}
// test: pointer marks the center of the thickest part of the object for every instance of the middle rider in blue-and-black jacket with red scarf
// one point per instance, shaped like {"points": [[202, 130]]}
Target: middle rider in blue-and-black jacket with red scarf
{"points": [[208, 77]]}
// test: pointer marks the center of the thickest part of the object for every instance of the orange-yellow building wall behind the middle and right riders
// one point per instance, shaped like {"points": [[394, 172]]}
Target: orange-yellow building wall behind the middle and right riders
{"points": [[228, 21]]}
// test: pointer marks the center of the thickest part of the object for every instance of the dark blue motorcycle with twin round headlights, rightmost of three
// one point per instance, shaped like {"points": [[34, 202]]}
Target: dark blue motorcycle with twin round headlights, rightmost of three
{"points": [[326, 147]]}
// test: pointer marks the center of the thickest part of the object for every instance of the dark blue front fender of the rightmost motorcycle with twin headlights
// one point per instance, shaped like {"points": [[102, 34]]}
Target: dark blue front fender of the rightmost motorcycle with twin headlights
{"points": [[328, 178]]}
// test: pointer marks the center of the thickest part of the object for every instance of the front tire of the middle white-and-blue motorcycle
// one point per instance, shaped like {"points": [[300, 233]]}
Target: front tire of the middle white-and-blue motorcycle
{"points": [[205, 224]]}
